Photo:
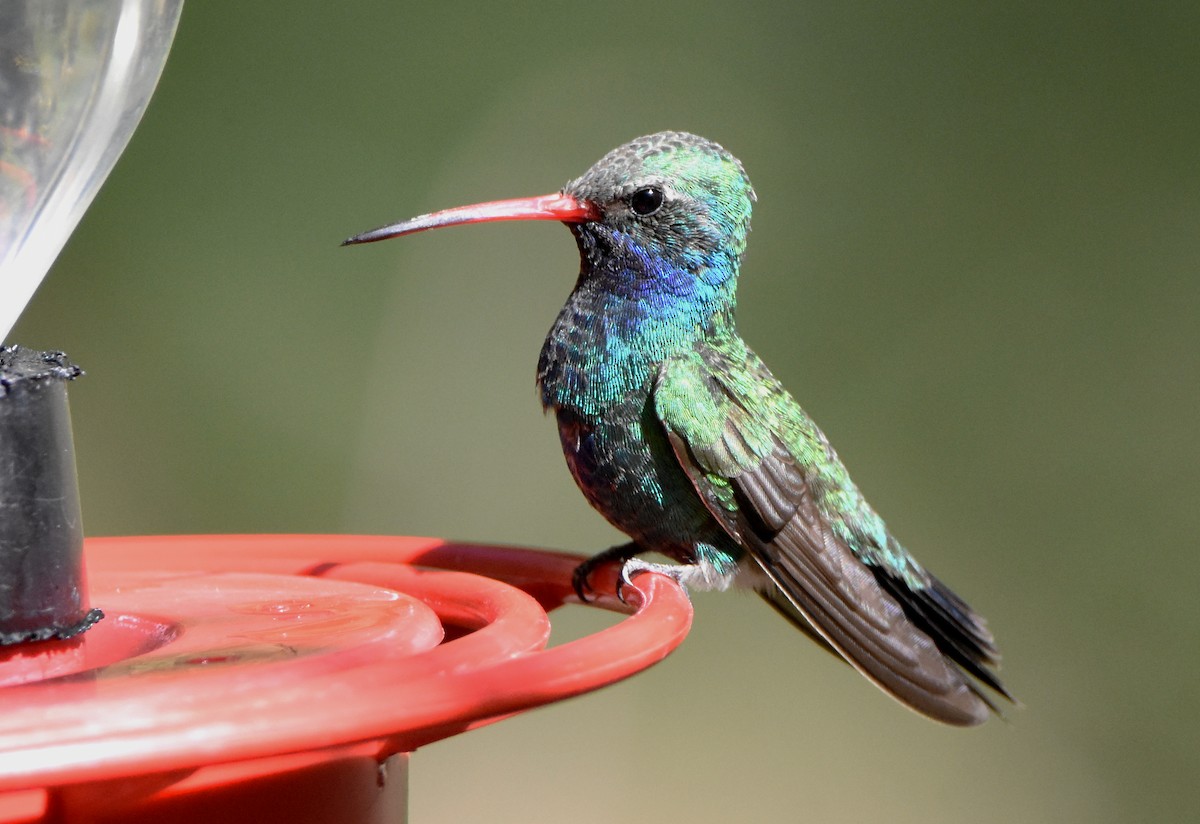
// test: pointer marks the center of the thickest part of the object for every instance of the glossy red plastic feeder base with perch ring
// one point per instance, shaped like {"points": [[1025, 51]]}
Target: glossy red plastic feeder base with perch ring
{"points": [[286, 678]]}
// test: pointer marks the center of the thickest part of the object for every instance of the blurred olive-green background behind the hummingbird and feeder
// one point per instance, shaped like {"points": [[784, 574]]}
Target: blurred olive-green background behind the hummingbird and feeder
{"points": [[975, 262]]}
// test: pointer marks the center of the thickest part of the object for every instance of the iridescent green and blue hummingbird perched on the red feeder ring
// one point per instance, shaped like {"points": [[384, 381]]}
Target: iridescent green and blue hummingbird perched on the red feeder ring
{"points": [[682, 438]]}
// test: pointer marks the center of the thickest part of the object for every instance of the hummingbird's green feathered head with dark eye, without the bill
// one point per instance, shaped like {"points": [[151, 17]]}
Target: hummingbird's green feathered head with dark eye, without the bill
{"points": [[679, 200]]}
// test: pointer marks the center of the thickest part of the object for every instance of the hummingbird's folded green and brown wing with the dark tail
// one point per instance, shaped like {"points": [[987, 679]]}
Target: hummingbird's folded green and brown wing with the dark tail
{"points": [[770, 478]]}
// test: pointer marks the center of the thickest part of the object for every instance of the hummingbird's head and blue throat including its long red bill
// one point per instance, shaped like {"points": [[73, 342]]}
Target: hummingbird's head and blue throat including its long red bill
{"points": [[662, 221]]}
